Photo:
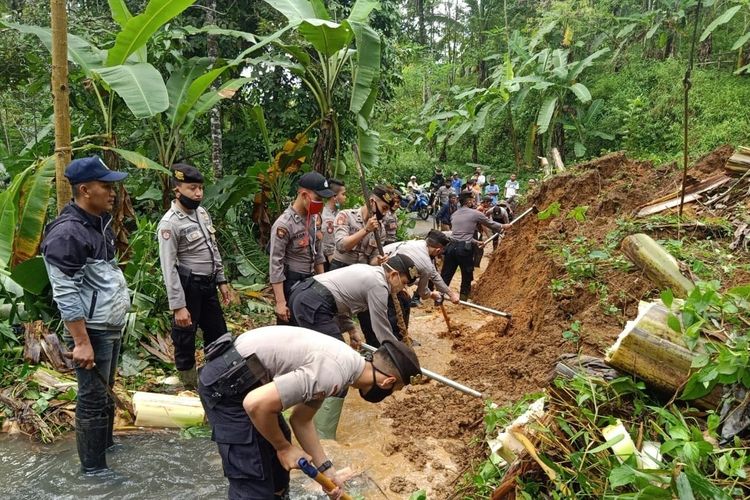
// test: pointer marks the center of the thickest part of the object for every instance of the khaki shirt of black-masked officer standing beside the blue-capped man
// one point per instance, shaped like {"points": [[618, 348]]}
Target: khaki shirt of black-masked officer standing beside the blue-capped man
{"points": [[189, 239]]}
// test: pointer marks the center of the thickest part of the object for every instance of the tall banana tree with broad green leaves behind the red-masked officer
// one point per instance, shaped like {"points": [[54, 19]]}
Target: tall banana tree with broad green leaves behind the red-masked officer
{"points": [[329, 48]]}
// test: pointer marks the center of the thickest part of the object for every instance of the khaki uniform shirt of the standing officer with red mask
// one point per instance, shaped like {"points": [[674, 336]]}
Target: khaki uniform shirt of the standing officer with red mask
{"points": [[294, 247]]}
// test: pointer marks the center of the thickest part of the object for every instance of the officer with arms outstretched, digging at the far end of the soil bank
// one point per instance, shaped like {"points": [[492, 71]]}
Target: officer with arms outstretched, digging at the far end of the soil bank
{"points": [[460, 252]]}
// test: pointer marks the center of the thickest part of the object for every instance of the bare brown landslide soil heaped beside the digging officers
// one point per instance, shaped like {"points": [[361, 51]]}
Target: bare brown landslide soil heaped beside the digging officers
{"points": [[506, 361]]}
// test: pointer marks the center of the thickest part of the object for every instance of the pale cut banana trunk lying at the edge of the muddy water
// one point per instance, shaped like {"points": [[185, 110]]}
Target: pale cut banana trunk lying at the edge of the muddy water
{"points": [[165, 410]]}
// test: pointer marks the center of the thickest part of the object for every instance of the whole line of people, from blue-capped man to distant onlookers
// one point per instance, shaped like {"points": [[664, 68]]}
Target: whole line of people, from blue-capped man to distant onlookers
{"points": [[327, 266]]}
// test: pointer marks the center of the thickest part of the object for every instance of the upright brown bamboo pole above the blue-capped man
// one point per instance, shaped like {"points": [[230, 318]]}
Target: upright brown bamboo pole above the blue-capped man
{"points": [[60, 91]]}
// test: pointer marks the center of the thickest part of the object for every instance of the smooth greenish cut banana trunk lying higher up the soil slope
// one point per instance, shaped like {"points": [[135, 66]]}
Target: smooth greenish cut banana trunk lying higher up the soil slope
{"points": [[660, 267]]}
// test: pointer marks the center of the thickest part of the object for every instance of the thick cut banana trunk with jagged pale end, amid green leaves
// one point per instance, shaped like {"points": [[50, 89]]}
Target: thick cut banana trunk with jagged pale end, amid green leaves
{"points": [[650, 350]]}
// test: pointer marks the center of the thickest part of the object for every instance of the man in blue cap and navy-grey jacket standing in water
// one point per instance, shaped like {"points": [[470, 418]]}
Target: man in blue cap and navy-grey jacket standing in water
{"points": [[92, 296]]}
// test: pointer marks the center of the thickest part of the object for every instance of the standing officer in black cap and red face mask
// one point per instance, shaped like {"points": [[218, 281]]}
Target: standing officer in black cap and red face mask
{"points": [[296, 245]]}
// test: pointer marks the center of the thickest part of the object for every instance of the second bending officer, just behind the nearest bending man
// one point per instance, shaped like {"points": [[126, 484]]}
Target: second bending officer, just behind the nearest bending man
{"points": [[327, 302]]}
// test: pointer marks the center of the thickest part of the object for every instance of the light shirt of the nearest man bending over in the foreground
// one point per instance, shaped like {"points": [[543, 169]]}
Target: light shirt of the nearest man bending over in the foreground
{"points": [[305, 365]]}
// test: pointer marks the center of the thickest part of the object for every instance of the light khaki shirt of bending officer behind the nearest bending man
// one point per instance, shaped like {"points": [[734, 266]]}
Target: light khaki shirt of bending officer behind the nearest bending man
{"points": [[358, 288]]}
